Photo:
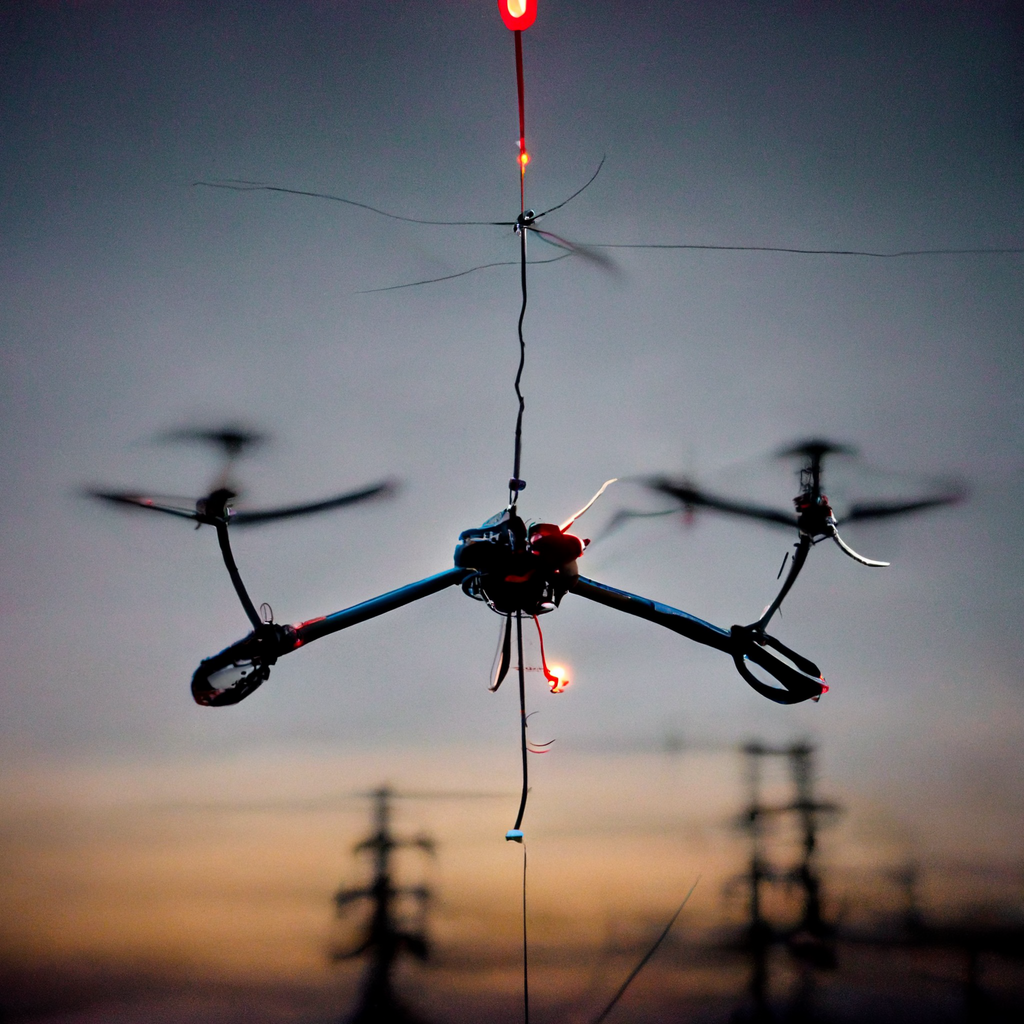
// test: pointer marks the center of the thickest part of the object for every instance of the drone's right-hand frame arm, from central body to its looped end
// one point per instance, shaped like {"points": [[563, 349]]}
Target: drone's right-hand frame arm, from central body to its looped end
{"points": [[800, 678]]}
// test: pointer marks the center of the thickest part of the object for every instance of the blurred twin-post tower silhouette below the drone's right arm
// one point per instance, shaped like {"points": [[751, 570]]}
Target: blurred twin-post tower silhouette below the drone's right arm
{"points": [[812, 940]]}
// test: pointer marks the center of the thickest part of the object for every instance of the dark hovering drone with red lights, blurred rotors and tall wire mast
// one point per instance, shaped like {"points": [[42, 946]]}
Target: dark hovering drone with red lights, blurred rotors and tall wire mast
{"points": [[519, 568]]}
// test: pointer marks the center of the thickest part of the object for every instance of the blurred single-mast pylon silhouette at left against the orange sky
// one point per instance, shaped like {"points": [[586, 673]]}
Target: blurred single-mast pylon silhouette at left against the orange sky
{"points": [[385, 940]]}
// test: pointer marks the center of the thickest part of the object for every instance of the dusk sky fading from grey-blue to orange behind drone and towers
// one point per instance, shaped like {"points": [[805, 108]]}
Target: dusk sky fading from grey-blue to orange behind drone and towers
{"points": [[166, 862]]}
